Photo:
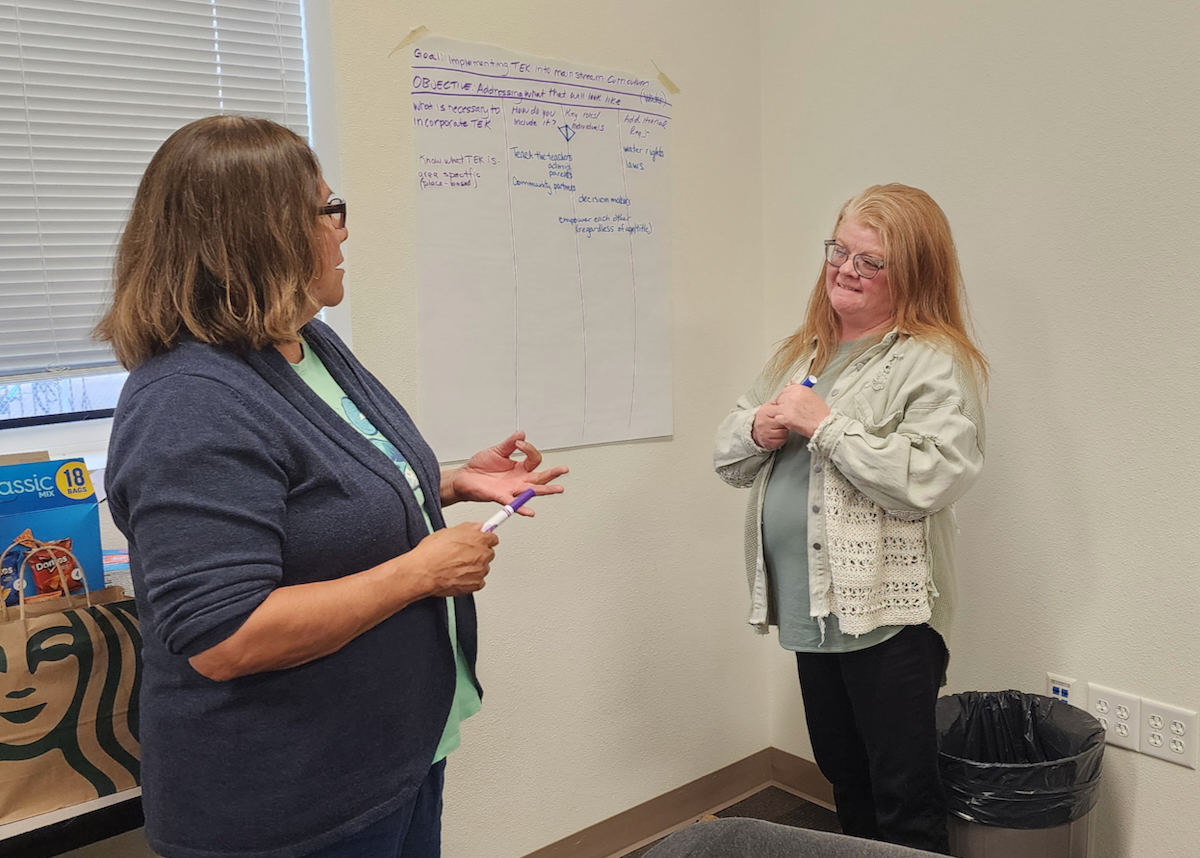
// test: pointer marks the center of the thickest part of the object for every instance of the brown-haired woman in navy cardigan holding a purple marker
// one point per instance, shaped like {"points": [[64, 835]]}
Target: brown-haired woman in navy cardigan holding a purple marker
{"points": [[308, 617]]}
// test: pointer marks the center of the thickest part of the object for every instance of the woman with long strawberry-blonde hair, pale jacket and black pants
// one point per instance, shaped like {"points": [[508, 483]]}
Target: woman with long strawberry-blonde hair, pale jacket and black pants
{"points": [[856, 441]]}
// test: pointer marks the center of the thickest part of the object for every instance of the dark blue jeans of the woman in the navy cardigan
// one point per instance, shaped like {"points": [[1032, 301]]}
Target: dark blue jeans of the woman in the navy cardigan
{"points": [[412, 832]]}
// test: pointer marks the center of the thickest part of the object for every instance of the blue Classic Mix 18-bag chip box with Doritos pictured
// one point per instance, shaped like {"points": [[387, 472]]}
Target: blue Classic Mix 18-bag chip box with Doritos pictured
{"points": [[50, 521]]}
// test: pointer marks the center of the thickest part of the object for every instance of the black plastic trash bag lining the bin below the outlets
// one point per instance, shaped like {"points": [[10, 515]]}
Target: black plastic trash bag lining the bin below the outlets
{"points": [[1017, 760]]}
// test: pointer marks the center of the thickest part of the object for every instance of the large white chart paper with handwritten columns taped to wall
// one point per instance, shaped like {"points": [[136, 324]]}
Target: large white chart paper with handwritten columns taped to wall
{"points": [[560, 176]]}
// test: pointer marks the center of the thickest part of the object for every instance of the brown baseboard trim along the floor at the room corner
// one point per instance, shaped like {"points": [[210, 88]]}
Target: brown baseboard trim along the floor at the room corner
{"points": [[683, 806]]}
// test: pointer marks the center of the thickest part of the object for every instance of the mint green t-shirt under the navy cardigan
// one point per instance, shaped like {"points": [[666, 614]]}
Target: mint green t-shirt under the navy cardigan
{"points": [[466, 697]]}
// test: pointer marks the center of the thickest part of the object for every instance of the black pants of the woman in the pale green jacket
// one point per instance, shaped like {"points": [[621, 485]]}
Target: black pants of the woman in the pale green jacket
{"points": [[874, 734]]}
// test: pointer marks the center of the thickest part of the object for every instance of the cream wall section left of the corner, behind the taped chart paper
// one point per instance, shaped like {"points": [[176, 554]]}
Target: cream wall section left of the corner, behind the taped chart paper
{"points": [[615, 656]]}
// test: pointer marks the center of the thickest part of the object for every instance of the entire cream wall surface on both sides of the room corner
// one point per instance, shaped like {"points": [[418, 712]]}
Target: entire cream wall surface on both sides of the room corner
{"points": [[1061, 141]]}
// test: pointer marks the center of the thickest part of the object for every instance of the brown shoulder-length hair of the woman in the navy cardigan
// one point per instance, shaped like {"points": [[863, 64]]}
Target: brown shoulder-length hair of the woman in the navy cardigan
{"points": [[223, 242]]}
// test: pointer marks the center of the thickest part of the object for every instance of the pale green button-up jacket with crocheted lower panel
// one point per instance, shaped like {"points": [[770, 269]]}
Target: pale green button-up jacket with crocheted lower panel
{"points": [[903, 442]]}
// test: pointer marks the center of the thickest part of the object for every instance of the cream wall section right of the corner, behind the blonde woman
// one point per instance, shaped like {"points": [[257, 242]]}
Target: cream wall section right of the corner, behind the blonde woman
{"points": [[1061, 140]]}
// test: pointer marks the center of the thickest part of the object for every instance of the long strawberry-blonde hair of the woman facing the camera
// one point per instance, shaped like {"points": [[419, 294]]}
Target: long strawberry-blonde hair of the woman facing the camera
{"points": [[928, 296]]}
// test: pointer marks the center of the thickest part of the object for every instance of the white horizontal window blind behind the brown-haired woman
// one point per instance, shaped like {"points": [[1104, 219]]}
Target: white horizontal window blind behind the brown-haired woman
{"points": [[89, 89]]}
